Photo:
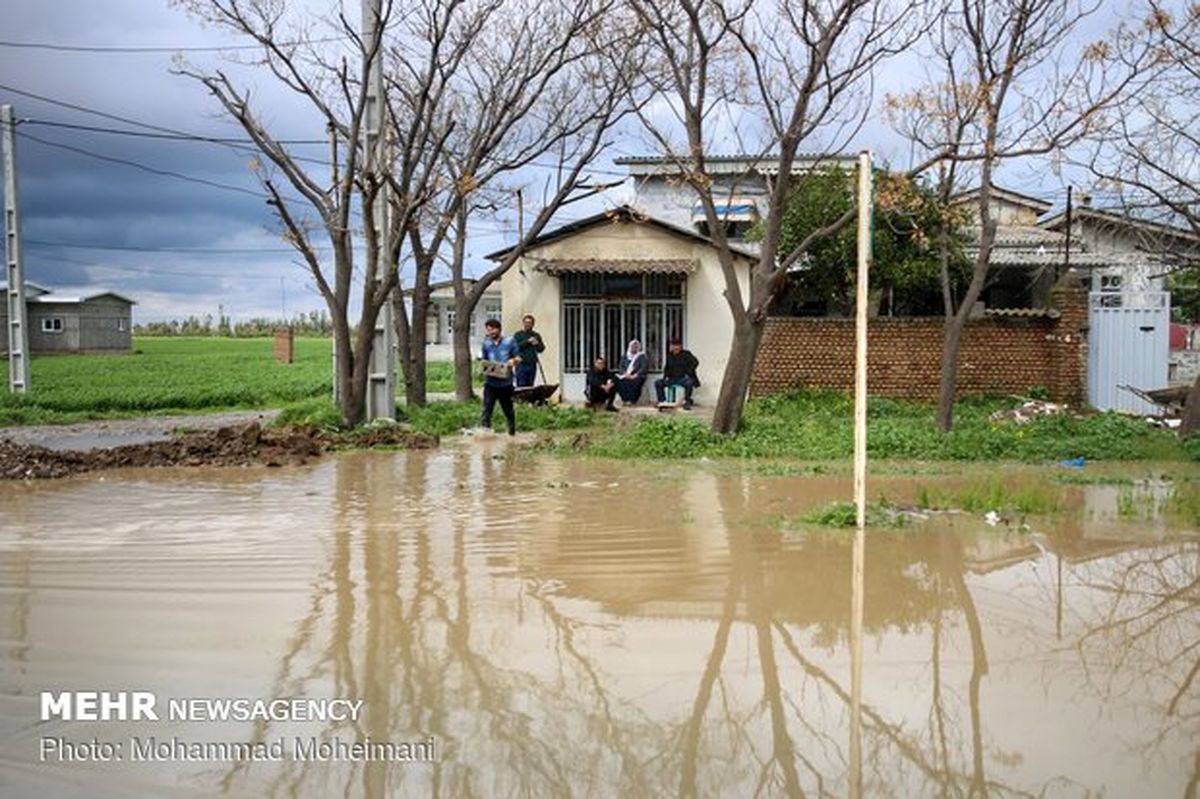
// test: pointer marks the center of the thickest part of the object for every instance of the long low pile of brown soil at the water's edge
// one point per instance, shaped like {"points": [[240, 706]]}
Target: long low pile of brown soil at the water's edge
{"points": [[241, 446]]}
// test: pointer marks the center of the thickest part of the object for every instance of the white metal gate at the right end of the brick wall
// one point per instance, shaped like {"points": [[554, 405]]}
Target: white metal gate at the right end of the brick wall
{"points": [[1129, 344]]}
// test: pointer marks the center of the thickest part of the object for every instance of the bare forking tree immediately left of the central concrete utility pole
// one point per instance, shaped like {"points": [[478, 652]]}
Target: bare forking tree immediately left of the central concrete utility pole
{"points": [[329, 75]]}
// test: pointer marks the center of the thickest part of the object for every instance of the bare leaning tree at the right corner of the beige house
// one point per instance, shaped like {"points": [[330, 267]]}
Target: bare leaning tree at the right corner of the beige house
{"points": [[793, 74]]}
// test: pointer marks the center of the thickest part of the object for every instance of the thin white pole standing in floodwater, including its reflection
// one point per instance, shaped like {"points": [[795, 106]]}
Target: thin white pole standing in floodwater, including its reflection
{"points": [[860, 552]]}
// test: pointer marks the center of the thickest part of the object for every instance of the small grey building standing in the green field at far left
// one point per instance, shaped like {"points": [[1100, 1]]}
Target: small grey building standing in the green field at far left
{"points": [[97, 322]]}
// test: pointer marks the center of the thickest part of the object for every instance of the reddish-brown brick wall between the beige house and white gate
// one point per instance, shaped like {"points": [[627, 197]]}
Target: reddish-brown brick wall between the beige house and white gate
{"points": [[999, 356]]}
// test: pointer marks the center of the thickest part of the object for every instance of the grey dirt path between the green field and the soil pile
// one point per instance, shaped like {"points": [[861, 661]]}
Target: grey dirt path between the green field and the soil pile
{"points": [[107, 434]]}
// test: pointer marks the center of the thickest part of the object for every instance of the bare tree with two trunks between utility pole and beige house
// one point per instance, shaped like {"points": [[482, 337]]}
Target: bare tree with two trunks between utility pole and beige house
{"points": [[530, 92]]}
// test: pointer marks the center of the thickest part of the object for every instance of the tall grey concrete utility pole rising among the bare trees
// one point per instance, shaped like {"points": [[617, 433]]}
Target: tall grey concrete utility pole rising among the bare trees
{"points": [[382, 380]]}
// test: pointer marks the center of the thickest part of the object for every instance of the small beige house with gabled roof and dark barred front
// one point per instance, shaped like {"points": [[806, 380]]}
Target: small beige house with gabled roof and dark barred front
{"points": [[597, 284]]}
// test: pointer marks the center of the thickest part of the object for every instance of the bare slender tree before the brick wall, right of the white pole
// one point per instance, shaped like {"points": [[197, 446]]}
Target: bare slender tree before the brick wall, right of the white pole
{"points": [[1016, 81]]}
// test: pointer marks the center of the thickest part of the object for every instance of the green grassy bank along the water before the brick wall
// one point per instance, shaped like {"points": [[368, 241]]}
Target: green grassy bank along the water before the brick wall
{"points": [[820, 426]]}
